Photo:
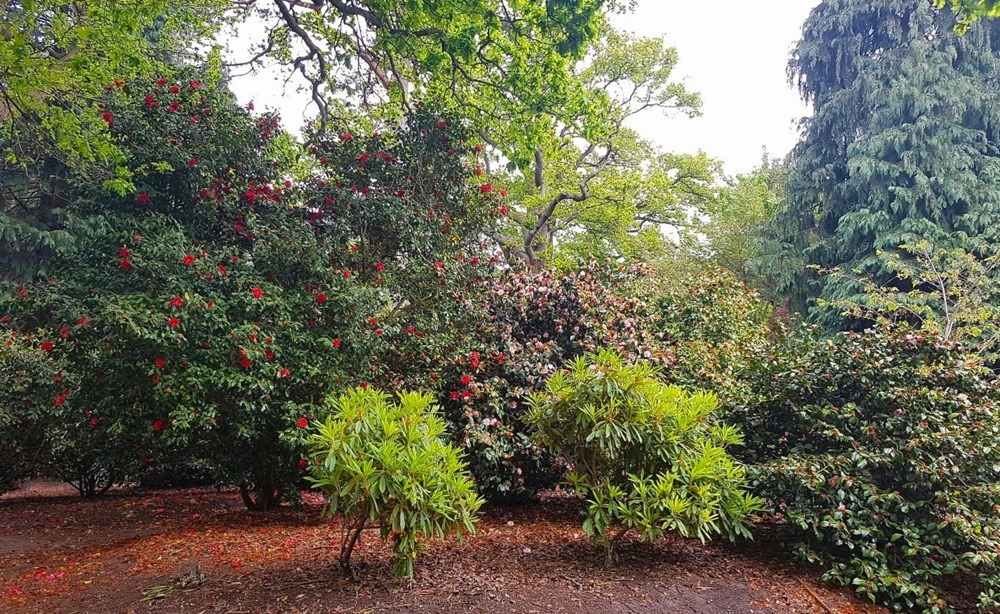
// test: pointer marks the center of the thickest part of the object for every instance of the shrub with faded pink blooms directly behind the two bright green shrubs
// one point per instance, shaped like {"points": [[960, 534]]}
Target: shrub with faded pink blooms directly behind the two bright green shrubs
{"points": [[525, 326]]}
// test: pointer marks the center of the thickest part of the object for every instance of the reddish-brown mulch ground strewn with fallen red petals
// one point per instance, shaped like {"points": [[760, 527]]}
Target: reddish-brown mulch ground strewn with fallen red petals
{"points": [[62, 553]]}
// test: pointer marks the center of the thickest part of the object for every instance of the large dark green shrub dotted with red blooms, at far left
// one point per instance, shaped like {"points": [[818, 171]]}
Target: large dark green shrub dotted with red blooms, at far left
{"points": [[191, 314]]}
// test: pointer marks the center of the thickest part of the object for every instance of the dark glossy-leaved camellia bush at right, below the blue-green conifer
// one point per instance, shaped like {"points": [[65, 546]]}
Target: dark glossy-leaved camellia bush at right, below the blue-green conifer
{"points": [[881, 449]]}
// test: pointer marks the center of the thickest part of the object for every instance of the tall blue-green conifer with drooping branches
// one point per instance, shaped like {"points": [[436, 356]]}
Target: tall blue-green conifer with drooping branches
{"points": [[904, 144]]}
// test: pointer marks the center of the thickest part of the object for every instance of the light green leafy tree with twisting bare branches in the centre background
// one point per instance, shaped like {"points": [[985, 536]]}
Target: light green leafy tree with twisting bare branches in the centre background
{"points": [[594, 186]]}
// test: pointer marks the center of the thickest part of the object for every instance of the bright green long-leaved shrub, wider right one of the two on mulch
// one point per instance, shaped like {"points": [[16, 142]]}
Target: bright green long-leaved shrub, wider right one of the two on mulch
{"points": [[645, 455]]}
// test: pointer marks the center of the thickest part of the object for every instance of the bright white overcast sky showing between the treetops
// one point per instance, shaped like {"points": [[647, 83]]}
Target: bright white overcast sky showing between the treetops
{"points": [[733, 52]]}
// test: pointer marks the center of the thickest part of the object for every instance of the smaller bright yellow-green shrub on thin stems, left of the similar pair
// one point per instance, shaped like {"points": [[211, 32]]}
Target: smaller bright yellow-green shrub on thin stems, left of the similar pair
{"points": [[386, 464]]}
